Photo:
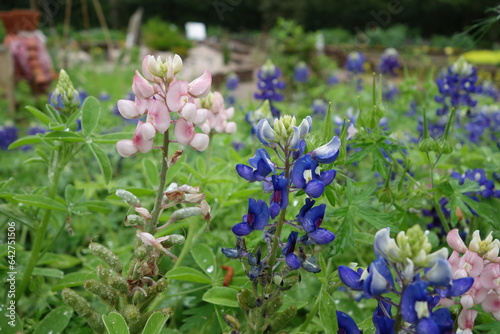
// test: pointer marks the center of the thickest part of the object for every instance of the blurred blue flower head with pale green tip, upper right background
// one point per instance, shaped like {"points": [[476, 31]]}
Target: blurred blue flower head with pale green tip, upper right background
{"points": [[457, 86]]}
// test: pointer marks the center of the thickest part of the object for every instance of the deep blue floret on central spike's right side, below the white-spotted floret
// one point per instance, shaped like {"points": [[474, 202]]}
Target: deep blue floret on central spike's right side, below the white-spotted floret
{"points": [[311, 218]]}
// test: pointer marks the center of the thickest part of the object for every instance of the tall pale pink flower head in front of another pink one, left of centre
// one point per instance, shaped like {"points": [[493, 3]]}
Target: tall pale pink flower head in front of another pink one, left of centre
{"points": [[159, 94]]}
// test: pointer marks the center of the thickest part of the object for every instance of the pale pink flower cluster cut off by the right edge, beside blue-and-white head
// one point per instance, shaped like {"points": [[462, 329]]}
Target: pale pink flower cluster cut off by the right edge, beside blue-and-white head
{"points": [[481, 262]]}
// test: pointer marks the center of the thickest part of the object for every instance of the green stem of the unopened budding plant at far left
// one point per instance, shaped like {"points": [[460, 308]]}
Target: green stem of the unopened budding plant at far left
{"points": [[55, 170]]}
